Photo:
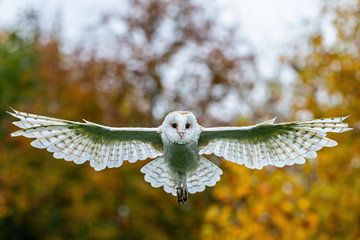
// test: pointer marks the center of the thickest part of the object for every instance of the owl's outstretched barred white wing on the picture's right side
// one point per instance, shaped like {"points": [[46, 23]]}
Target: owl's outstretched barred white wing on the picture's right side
{"points": [[271, 144]]}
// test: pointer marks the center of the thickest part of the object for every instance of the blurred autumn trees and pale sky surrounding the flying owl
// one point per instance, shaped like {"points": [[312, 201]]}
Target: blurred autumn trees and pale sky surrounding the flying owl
{"points": [[129, 62]]}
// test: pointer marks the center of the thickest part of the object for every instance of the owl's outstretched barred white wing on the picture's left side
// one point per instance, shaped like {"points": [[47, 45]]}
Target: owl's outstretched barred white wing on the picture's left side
{"points": [[78, 142]]}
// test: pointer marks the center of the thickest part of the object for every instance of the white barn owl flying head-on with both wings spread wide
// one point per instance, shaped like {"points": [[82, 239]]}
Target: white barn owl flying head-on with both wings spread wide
{"points": [[178, 147]]}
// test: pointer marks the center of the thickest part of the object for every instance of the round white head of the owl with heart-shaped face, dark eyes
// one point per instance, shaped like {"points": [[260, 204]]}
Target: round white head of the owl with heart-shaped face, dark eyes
{"points": [[180, 127]]}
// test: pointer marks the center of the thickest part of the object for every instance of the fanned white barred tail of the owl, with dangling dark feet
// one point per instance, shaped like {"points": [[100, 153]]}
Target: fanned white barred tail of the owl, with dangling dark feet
{"points": [[179, 184]]}
